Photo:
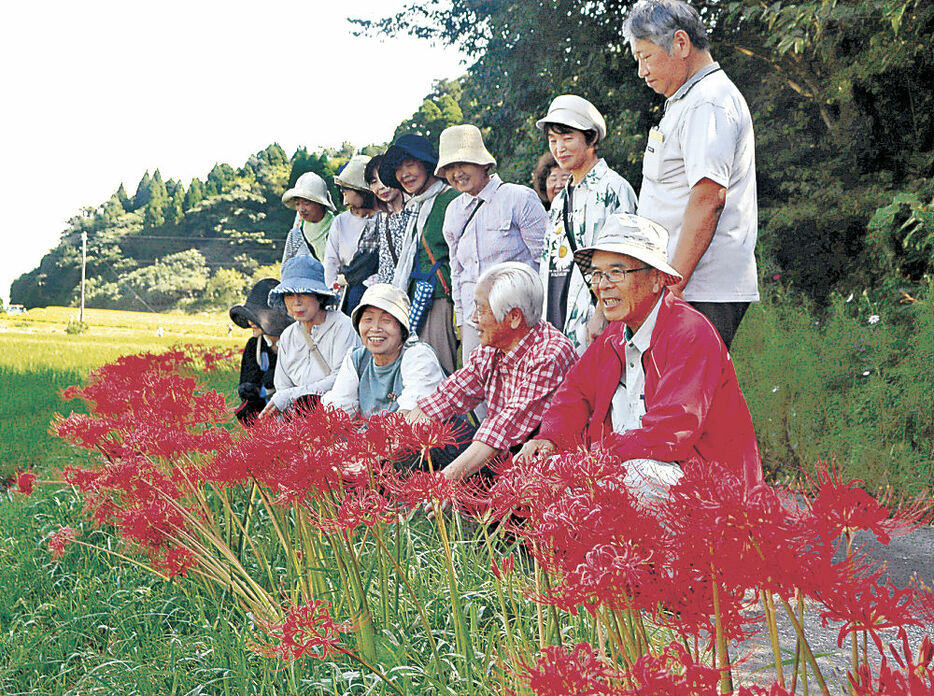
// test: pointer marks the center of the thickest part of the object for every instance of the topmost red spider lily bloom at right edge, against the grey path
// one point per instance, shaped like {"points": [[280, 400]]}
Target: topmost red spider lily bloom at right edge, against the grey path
{"points": [[840, 507]]}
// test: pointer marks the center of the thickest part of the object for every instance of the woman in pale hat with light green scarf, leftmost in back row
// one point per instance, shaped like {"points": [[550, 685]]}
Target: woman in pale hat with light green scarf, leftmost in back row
{"points": [[310, 198]]}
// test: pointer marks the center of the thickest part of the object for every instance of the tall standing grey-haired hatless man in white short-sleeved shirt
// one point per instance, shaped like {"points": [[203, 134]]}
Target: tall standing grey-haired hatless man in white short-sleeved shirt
{"points": [[698, 174]]}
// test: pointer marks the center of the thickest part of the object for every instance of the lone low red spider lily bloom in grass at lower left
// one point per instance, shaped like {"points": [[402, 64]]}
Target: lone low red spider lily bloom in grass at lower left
{"points": [[308, 631]]}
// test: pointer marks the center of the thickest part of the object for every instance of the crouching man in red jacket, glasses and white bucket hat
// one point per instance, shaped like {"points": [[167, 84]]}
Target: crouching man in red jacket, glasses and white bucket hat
{"points": [[657, 388]]}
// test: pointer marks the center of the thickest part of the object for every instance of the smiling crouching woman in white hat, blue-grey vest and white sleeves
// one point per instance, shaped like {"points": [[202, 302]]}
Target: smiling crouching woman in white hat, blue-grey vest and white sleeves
{"points": [[391, 370]]}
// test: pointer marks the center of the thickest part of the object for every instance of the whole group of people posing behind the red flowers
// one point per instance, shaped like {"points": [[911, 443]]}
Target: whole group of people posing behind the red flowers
{"points": [[585, 314]]}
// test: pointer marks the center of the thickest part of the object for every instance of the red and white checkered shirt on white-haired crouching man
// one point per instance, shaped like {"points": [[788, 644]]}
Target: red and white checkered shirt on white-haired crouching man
{"points": [[517, 386]]}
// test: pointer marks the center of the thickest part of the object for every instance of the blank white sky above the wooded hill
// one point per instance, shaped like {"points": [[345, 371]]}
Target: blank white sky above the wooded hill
{"points": [[95, 93]]}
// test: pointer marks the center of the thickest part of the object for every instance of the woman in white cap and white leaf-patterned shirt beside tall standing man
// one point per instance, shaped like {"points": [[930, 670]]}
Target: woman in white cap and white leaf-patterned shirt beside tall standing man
{"points": [[574, 128]]}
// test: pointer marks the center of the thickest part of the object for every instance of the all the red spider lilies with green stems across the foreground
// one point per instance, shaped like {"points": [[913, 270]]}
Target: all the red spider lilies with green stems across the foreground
{"points": [[695, 561]]}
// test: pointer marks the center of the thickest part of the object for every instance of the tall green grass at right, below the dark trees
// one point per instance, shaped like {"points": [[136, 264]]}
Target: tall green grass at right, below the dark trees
{"points": [[854, 383]]}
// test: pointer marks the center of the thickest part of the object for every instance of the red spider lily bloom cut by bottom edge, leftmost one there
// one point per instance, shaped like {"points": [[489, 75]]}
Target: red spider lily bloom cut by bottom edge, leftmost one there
{"points": [[577, 671]]}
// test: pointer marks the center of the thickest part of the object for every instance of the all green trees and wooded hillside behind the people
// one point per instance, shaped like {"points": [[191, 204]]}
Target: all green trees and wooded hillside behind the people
{"points": [[841, 96]]}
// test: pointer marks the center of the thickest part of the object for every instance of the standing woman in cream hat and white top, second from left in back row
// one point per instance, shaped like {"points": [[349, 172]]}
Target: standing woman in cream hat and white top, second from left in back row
{"points": [[351, 255]]}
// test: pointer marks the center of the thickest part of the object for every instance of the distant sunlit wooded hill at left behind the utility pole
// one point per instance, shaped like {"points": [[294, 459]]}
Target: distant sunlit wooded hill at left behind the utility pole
{"points": [[169, 246]]}
